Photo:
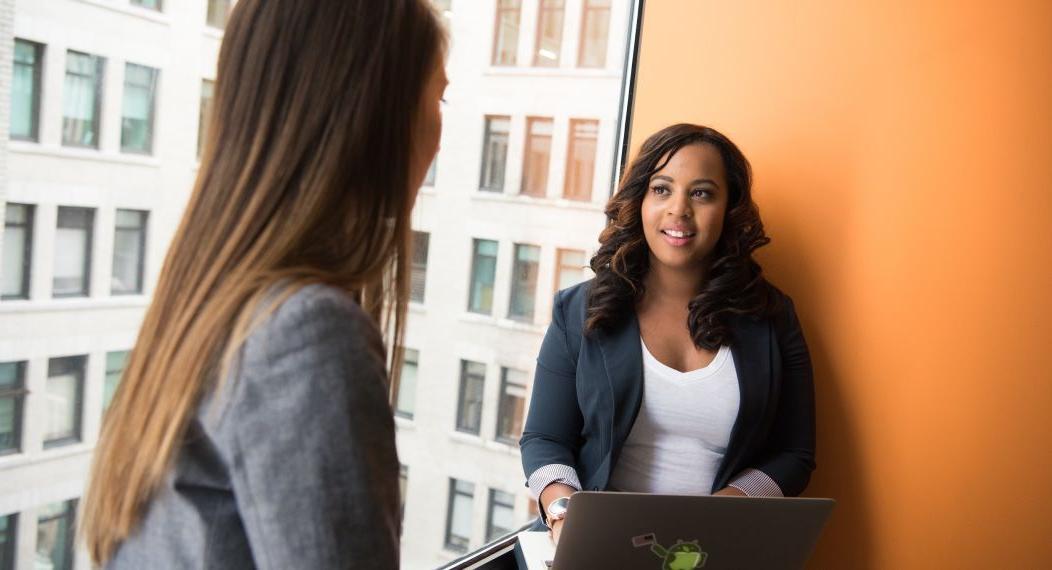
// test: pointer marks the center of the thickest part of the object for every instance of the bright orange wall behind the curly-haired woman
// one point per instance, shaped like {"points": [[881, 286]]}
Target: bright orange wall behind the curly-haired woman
{"points": [[902, 155]]}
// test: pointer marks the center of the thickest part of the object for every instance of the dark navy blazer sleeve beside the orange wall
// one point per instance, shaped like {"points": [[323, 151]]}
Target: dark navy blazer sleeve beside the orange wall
{"points": [[788, 458]]}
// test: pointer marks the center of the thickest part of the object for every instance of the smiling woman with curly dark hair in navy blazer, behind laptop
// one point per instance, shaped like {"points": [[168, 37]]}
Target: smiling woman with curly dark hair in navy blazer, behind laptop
{"points": [[679, 370]]}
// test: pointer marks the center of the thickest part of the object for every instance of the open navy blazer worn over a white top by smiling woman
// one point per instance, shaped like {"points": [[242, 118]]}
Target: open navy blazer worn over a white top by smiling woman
{"points": [[588, 393]]}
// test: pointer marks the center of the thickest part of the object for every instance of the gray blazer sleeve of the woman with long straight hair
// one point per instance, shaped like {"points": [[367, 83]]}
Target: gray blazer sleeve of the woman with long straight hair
{"points": [[312, 439]]}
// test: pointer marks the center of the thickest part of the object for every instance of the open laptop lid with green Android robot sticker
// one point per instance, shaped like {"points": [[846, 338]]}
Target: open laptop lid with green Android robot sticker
{"points": [[675, 533]]}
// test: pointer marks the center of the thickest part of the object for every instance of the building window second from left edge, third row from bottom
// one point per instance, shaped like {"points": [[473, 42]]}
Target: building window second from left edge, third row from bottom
{"points": [[73, 252]]}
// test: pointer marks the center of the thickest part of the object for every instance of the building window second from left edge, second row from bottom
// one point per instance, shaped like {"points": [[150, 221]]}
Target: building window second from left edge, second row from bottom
{"points": [[66, 396]]}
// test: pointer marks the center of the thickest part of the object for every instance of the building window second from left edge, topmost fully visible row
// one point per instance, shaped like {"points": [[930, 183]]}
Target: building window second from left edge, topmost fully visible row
{"points": [[83, 100]]}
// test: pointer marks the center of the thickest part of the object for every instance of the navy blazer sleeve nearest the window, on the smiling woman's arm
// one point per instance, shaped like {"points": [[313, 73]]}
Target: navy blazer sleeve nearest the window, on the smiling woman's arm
{"points": [[554, 424]]}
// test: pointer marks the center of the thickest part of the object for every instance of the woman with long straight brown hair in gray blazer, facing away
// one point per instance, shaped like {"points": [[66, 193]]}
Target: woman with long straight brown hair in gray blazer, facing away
{"points": [[252, 426]]}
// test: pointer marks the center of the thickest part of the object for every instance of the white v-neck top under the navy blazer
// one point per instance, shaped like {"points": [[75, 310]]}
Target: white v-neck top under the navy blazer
{"points": [[682, 432]]}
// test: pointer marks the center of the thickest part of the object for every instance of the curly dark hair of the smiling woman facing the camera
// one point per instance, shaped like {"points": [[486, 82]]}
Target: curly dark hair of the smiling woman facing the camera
{"points": [[735, 283]]}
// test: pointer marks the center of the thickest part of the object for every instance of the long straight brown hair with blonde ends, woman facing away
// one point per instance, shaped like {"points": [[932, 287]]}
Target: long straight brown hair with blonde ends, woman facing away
{"points": [[305, 179]]}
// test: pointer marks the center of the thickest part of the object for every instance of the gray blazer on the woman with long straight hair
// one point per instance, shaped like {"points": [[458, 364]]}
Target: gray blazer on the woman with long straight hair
{"points": [[293, 464]]}
